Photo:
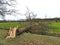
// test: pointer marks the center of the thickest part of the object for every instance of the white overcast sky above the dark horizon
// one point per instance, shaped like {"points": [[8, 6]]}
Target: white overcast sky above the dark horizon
{"points": [[49, 8]]}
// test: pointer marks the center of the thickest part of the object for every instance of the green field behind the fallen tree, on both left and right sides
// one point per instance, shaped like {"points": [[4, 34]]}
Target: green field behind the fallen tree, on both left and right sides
{"points": [[55, 25]]}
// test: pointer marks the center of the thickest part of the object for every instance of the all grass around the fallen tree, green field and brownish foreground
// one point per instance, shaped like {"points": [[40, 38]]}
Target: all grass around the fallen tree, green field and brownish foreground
{"points": [[29, 38]]}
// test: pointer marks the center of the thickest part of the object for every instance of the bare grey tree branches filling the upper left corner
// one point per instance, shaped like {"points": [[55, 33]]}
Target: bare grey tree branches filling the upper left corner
{"points": [[7, 8]]}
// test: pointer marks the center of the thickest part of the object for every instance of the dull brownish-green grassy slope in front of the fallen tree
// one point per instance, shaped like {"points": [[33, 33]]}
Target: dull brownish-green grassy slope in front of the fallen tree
{"points": [[28, 39]]}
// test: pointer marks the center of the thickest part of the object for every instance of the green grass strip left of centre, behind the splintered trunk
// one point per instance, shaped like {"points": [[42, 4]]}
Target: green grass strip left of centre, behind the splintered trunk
{"points": [[13, 24]]}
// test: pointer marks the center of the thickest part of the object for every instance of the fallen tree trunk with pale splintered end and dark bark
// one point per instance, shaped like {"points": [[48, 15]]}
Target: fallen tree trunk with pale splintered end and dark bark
{"points": [[13, 32]]}
